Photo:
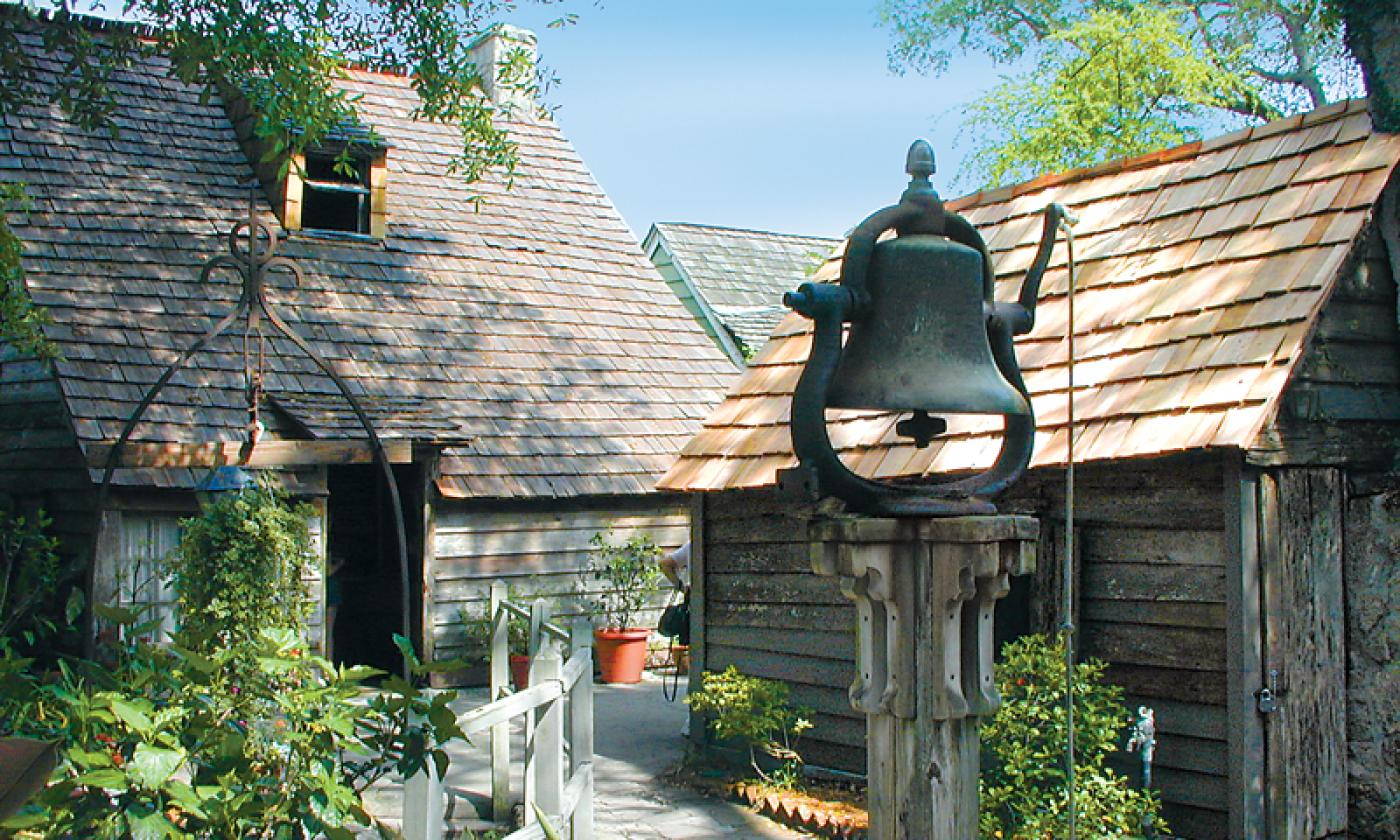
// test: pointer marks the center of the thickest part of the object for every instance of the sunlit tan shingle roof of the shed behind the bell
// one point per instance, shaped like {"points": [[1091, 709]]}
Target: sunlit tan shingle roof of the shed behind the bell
{"points": [[1202, 271]]}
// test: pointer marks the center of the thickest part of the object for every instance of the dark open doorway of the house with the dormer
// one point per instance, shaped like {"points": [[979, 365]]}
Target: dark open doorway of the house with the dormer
{"points": [[363, 542]]}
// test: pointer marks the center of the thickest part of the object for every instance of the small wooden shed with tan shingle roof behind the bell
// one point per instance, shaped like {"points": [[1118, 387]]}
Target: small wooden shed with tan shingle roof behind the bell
{"points": [[1238, 450]]}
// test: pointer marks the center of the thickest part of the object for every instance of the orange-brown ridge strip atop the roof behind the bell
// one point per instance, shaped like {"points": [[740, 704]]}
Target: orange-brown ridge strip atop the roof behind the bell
{"points": [[1317, 117]]}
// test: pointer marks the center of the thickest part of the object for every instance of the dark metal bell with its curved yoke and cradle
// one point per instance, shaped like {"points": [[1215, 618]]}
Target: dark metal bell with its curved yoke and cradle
{"points": [[927, 338]]}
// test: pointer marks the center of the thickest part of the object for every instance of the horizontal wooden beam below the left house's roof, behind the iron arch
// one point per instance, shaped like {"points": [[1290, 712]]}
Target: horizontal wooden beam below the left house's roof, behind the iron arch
{"points": [[265, 454]]}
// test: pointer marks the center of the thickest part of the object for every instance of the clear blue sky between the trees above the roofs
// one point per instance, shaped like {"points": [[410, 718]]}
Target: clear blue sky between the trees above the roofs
{"points": [[764, 114]]}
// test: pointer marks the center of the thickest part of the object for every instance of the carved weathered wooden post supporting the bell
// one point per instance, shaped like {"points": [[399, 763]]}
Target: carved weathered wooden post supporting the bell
{"points": [[925, 591]]}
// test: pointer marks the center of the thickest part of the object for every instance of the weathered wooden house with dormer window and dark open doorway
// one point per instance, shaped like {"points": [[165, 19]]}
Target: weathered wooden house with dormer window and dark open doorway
{"points": [[526, 366]]}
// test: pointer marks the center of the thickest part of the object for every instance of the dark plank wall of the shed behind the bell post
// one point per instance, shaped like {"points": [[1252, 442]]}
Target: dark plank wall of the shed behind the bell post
{"points": [[1153, 605]]}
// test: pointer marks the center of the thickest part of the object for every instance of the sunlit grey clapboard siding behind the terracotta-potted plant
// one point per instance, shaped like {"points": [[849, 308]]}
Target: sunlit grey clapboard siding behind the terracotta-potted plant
{"points": [[541, 552]]}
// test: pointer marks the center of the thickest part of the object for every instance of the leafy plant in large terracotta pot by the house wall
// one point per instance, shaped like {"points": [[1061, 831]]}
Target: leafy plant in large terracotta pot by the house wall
{"points": [[625, 576]]}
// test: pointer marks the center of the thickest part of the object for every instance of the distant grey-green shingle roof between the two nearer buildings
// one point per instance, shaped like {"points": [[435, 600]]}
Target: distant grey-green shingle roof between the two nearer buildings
{"points": [[740, 275]]}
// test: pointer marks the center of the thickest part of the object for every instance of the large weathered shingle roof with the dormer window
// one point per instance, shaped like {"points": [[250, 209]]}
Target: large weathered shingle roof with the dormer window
{"points": [[531, 327]]}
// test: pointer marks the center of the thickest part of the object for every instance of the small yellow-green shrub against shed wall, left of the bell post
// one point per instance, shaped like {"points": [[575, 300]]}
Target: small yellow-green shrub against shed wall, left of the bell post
{"points": [[755, 712]]}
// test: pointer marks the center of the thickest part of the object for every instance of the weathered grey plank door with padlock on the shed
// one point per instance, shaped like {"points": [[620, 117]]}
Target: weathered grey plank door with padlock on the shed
{"points": [[1303, 698]]}
